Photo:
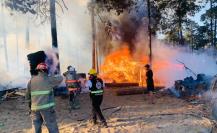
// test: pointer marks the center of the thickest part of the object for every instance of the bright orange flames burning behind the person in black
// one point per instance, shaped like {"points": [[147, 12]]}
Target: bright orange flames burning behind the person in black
{"points": [[121, 66]]}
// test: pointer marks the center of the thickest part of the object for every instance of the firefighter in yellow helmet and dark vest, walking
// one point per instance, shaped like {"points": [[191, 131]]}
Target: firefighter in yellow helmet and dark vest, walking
{"points": [[96, 86]]}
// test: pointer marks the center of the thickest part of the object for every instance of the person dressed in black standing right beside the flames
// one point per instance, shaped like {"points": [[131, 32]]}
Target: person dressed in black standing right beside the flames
{"points": [[150, 83]]}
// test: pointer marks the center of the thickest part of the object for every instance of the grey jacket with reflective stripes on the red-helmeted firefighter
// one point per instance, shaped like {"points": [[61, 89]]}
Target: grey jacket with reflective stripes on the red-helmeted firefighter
{"points": [[41, 91]]}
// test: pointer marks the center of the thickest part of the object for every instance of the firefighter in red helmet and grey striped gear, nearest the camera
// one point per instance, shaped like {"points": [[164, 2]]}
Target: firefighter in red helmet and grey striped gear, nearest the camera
{"points": [[40, 95]]}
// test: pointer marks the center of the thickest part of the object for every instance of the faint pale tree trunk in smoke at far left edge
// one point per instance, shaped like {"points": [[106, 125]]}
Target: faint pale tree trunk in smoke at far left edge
{"points": [[4, 37]]}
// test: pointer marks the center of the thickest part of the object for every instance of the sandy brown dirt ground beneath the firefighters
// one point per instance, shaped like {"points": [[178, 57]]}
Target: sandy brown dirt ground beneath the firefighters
{"points": [[131, 113]]}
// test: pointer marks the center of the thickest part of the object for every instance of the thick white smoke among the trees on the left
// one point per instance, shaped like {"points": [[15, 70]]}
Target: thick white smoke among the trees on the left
{"points": [[74, 40]]}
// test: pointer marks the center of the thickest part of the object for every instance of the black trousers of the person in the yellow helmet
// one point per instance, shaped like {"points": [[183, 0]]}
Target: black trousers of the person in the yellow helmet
{"points": [[96, 111]]}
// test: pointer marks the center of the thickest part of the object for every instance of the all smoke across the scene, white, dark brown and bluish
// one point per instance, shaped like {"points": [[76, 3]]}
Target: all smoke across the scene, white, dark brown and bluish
{"points": [[74, 38]]}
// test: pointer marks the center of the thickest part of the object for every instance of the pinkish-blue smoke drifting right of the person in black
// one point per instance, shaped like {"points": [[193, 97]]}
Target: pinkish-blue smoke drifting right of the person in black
{"points": [[174, 63]]}
